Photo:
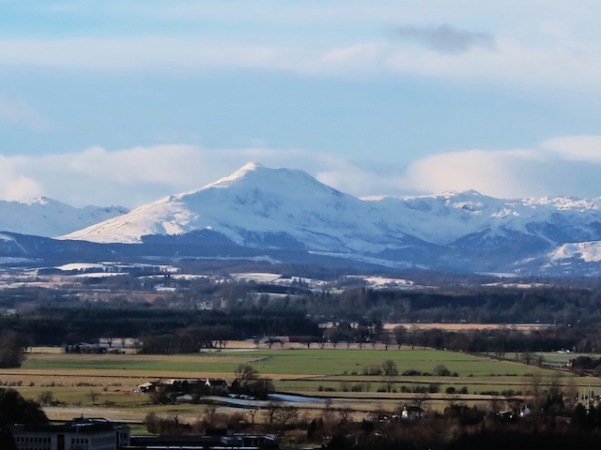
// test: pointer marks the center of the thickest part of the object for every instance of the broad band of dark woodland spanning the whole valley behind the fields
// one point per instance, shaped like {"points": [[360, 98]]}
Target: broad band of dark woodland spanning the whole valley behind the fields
{"points": [[176, 323]]}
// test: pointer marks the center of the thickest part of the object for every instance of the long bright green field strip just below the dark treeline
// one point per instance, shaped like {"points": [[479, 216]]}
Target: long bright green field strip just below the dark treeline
{"points": [[280, 363]]}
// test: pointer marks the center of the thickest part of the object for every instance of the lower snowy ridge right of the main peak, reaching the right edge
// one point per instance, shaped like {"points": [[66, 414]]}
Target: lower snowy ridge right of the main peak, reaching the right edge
{"points": [[445, 218]]}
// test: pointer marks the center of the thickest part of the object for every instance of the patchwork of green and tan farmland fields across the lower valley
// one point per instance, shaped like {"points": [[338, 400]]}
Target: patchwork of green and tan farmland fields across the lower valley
{"points": [[104, 384]]}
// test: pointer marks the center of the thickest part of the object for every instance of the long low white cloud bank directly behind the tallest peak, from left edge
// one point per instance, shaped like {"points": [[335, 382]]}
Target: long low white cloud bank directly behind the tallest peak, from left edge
{"points": [[138, 175]]}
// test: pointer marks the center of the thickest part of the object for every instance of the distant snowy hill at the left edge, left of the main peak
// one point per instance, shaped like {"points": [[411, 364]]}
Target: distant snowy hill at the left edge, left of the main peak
{"points": [[46, 217]]}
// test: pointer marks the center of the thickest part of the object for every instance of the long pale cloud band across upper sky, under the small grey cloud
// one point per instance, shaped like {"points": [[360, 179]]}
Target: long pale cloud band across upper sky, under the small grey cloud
{"points": [[513, 60]]}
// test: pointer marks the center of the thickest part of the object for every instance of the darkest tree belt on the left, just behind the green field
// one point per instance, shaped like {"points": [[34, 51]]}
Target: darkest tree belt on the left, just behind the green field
{"points": [[187, 330]]}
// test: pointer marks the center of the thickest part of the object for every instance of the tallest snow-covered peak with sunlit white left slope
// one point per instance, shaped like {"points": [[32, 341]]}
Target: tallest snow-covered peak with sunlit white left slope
{"points": [[256, 200]]}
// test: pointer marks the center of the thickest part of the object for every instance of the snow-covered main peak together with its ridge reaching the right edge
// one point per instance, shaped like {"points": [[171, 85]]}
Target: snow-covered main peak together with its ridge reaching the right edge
{"points": [[282, 208]]}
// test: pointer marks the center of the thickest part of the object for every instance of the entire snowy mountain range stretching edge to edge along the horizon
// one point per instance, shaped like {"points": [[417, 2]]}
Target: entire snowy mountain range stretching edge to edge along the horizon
{"points": [[288, 215]]}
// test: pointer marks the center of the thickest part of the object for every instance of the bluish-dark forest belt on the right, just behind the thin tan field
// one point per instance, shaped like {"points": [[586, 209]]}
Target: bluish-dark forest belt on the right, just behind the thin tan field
{"points": [[472, 305]]}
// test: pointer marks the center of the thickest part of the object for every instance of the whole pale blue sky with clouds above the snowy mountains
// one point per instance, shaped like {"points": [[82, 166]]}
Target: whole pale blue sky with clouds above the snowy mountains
{"points": [[120, 102]]}
